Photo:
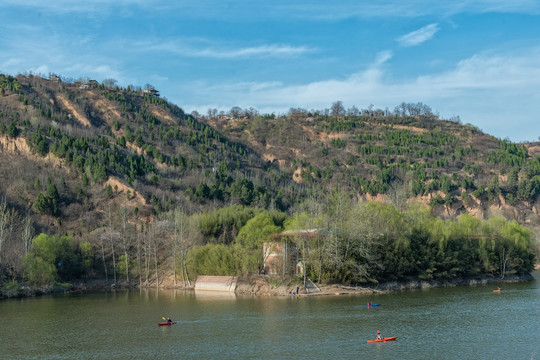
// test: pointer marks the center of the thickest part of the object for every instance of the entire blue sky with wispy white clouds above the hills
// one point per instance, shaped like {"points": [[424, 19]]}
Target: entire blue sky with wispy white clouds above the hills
{"points": [[479, 60]]}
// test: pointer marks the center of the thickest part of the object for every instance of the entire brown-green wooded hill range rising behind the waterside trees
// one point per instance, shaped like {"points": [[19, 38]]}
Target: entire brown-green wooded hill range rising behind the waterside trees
{"points": [[71, 149]]}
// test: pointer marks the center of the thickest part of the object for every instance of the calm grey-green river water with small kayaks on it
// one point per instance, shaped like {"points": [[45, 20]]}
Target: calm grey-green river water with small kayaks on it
{"points": [[451, 323]]}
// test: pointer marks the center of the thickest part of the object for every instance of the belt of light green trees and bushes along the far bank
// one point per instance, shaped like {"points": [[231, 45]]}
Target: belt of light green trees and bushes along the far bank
{"points": [[356, 243]]}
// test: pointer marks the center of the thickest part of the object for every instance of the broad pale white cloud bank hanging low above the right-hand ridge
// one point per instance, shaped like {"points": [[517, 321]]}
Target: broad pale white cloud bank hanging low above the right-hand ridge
{"points": [[496, 92]]}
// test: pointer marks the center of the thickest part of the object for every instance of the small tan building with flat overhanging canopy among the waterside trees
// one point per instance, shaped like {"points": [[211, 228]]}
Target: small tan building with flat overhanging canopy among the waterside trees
{"points": [[280, 254]]}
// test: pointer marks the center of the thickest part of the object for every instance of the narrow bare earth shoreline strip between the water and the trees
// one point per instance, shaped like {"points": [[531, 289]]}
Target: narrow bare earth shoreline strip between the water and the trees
{"points": [[261, 286]]}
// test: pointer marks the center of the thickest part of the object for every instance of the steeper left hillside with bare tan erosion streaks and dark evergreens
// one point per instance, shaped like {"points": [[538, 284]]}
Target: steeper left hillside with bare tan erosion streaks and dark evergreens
{"points": [[151, 154]]}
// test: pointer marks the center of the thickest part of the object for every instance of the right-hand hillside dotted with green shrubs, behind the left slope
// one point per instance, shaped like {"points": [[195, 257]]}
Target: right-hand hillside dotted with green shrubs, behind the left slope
{"points": [[453, 168]]}
